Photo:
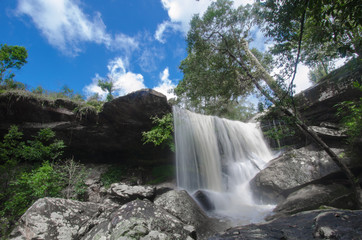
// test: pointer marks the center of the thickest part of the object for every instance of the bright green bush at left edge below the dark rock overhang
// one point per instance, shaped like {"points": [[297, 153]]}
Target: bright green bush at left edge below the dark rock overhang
{"points": [[27, 172]]}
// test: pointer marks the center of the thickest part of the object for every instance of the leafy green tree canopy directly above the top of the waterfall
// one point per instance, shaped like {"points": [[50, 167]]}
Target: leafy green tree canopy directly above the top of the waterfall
{"points": [[213, 81]]}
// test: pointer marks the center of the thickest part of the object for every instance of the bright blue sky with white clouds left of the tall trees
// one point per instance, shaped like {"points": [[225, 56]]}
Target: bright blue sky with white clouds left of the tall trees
{"points": [[139, 43]]}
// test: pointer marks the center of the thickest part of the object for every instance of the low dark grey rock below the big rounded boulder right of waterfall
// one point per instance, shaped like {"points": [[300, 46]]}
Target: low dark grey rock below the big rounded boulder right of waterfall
{"points": [[314, 196]]}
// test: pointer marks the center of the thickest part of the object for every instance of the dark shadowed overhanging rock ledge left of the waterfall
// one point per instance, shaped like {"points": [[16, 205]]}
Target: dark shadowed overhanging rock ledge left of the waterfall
{"points": [[113, 135]]}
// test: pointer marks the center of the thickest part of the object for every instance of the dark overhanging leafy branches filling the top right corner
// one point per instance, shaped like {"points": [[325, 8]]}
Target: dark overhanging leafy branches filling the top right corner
{"points": [[313, 31]]}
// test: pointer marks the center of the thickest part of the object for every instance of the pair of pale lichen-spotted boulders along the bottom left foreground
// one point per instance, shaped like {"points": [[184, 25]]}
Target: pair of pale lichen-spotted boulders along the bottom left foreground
{"points": [[54, 218]]}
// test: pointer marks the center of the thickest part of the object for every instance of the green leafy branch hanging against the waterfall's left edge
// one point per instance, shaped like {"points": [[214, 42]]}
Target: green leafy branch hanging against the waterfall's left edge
{"points": [[161, 133]]}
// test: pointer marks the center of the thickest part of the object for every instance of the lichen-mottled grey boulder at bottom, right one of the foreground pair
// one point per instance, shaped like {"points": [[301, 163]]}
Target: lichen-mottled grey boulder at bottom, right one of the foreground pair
{"points": [[141, 219]]}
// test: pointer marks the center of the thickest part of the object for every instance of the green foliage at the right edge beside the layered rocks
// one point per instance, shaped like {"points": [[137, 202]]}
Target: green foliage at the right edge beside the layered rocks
{"points": [[351, 113]]}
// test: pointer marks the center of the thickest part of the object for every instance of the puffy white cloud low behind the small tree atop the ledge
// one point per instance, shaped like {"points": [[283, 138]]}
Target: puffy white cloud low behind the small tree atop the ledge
{"points": [[124, 81]]}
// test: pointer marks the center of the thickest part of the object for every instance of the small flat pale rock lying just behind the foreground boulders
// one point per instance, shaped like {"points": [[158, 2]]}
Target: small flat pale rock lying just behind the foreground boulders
{"points": [[122, 193]]}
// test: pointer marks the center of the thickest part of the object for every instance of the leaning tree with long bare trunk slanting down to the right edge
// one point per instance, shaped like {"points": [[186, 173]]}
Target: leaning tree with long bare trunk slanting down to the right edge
{"points": [[224, 33]]}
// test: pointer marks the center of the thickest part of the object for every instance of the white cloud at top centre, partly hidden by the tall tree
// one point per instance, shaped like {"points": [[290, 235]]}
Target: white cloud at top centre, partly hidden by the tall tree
{"points": [[181, 12]]}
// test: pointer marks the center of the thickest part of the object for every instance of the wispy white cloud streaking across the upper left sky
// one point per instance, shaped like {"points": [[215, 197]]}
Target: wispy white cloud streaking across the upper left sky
{"points": [[66, 26]]}
